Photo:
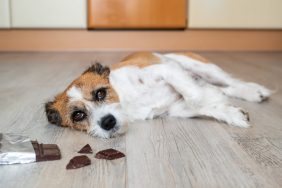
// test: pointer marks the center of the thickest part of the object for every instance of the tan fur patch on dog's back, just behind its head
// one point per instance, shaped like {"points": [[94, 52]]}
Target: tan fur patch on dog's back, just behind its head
{"points": [[140, 59]]}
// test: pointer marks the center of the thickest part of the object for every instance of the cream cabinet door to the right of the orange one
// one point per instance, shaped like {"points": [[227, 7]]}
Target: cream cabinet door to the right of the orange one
{"points": [[235, 14]]}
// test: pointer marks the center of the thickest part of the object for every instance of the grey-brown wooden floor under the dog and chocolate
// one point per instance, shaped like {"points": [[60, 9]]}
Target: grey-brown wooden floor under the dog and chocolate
{"points": [[159, 153]]}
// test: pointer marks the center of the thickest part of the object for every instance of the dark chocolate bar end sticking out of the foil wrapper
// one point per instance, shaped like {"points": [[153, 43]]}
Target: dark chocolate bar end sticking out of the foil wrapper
{"points": [[46, 152]]}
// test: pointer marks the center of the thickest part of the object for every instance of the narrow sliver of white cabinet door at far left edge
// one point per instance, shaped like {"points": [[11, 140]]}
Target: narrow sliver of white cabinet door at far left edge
{"points": [[4, 14]]}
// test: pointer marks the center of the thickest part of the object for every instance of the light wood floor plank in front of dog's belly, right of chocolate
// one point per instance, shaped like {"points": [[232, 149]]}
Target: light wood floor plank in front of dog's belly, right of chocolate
{"points": [[189, 153]]}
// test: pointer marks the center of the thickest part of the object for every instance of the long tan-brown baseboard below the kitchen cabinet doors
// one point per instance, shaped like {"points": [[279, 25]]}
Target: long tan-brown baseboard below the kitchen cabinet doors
{"points": [[196, 40]]}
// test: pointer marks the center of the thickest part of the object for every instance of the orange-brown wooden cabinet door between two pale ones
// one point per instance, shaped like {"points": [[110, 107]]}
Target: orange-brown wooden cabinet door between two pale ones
{"points": [[136, 14]]}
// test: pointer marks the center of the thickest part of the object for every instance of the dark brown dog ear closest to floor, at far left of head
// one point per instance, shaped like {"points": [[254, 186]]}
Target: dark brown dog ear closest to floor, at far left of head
{"points": [[52, 114]]}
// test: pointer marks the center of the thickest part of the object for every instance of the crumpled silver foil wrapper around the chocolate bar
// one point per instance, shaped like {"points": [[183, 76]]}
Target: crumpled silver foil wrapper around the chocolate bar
{"points": [[16, 148]]}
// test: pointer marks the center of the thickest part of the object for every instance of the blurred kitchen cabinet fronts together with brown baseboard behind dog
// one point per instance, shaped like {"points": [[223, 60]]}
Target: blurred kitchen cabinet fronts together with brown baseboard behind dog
{"points": [[56, 25]]}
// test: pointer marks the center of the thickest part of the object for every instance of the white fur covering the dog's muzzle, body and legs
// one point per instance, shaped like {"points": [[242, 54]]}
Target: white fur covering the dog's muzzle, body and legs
{"points": [[179, 86]]}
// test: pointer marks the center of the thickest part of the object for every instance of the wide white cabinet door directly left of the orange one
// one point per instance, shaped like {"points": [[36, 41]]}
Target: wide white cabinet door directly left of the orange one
{"points": [[48, 13]]}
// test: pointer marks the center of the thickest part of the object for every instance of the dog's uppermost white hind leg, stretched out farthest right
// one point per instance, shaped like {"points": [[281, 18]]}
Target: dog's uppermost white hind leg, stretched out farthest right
{"points": [[213, 74]]}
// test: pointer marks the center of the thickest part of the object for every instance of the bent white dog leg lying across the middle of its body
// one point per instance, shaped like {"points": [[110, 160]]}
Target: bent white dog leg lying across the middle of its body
{"points": [[195, 94]]}
